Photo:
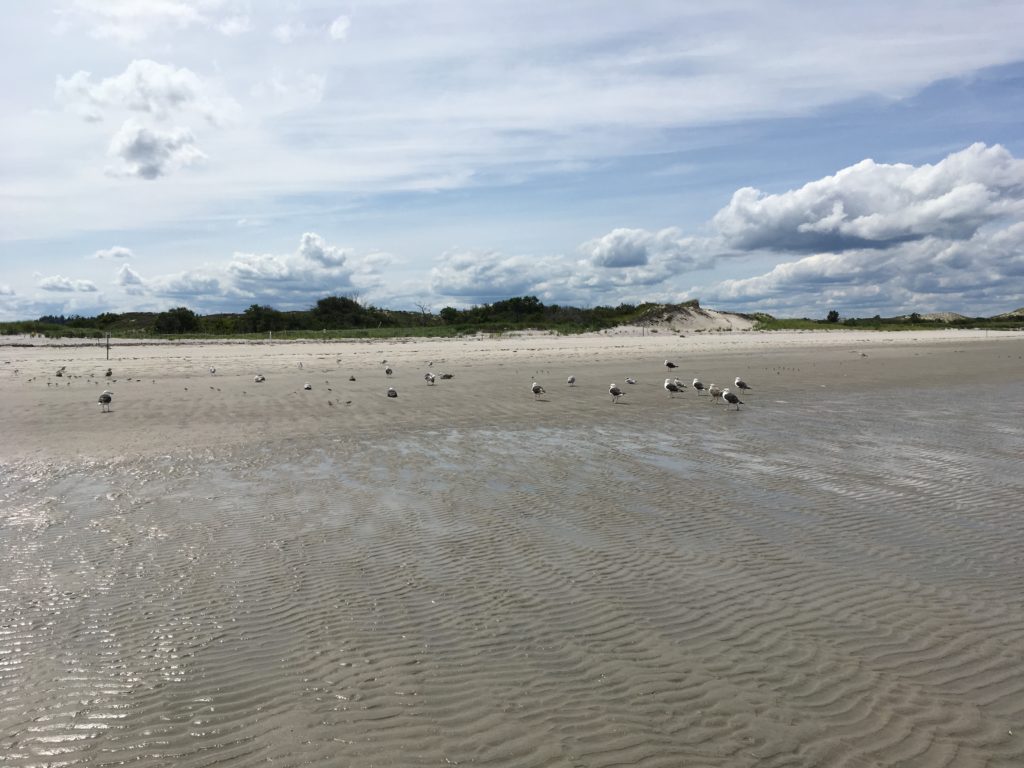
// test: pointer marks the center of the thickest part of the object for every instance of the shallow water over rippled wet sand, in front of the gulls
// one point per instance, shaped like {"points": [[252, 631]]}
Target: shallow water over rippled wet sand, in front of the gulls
{"points": [[831, 582]]}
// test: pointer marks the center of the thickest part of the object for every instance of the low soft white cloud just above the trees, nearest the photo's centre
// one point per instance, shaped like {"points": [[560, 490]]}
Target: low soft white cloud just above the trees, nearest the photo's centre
{"points": [[484, 278]]}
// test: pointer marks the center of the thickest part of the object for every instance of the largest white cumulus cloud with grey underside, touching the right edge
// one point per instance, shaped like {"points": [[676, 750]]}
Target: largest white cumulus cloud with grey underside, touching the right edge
{"points": [[872, 205]]}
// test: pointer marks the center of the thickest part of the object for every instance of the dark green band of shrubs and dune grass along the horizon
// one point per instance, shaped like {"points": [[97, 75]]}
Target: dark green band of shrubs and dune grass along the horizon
{"points": [[340, 318]]}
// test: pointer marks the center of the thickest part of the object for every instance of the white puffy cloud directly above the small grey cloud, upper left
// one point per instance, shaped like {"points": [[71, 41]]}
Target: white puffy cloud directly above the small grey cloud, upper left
{"points": [[145, 87]]}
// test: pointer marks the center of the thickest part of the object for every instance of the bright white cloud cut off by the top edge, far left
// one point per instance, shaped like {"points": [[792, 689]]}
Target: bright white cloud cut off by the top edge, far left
{"points": [[132, 21]]}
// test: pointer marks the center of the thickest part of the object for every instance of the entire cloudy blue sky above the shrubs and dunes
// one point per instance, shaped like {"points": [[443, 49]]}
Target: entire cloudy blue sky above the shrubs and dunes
{"points": [[790, 158]]}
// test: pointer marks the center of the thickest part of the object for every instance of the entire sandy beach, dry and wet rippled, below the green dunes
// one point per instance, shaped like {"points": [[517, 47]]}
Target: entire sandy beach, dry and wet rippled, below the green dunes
{"points": [[220, 572]]}
